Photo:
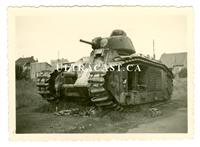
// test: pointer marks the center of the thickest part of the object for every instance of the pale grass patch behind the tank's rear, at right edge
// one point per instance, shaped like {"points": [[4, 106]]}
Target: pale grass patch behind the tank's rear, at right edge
{"points": [[179, 88]]}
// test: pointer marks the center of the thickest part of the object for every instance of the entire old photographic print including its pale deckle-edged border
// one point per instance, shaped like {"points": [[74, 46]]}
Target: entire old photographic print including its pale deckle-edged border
{"points": [[79, 73]]}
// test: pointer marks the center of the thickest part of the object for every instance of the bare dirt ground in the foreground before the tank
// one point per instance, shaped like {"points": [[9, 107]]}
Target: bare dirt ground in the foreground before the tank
{"points": [[172, 120]]}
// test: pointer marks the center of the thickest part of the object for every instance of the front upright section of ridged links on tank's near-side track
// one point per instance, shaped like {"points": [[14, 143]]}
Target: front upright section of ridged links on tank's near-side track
{"points": [[98, 92]]}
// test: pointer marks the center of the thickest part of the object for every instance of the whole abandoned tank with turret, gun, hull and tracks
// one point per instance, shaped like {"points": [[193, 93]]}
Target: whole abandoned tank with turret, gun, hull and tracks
{"points": [[113, 76]]}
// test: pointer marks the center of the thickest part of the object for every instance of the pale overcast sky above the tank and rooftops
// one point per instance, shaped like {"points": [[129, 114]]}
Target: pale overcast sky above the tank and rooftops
{"points": [[42, 36]]}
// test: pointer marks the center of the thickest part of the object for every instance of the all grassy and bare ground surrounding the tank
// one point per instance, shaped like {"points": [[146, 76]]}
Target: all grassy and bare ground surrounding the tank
{"points": [[35, 115]]}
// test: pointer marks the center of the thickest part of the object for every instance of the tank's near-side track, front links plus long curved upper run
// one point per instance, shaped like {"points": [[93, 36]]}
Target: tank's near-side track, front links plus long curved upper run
{"points": [[100, 96]]}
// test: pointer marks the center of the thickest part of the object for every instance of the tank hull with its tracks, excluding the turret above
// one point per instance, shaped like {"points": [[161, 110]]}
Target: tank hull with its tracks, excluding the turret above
{"points": [[128, 80]]}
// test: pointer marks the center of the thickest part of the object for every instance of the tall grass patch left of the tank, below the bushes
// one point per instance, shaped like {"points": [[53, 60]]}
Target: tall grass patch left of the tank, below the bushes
{"points": [[27, 95]]}
